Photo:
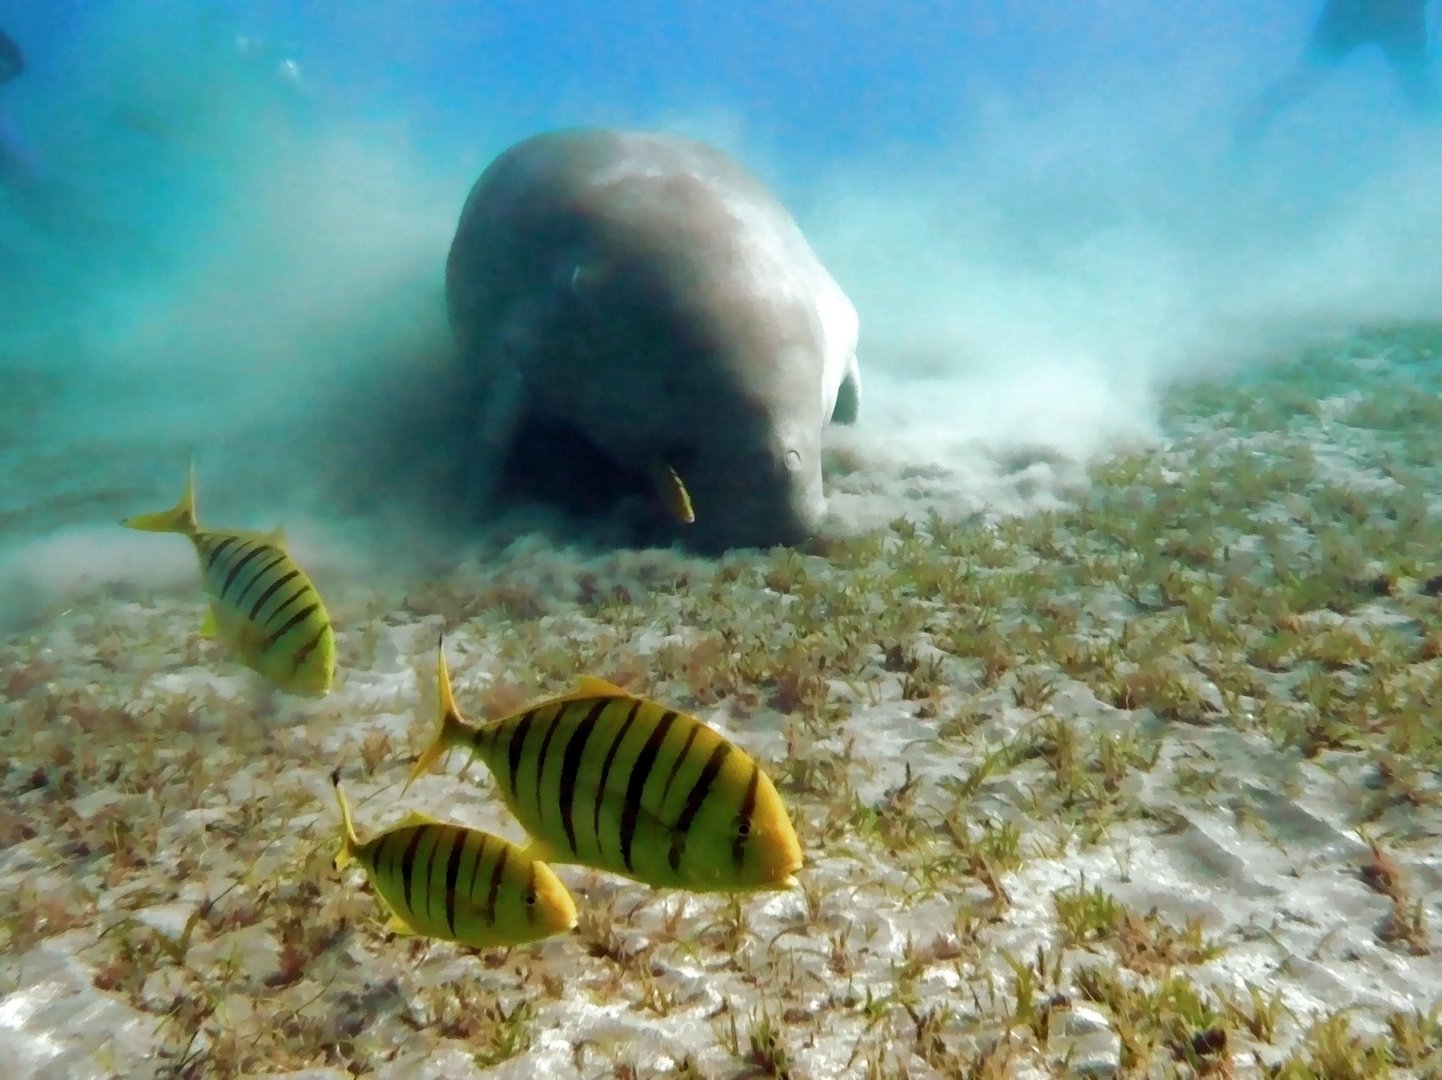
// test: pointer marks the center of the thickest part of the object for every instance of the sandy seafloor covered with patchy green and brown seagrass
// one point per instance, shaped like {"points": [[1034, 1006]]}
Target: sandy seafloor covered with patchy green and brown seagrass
{"points": [[1138, 781]]}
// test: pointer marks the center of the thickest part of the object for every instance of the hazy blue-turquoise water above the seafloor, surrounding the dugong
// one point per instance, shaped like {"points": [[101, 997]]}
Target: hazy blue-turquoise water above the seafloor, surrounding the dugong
{"points": [[1003, 188]]}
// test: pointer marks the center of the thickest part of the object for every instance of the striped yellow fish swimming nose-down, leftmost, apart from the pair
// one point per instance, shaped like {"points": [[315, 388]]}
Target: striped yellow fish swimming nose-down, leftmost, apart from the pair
{"points": [[263, 606]]}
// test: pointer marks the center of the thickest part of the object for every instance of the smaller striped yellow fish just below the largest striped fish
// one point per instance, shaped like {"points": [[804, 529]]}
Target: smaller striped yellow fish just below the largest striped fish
{"points": [[458, 885]]}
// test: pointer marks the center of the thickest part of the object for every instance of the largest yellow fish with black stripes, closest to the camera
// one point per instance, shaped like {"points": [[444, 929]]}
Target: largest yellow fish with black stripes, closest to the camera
{"points": [[603, 779]]}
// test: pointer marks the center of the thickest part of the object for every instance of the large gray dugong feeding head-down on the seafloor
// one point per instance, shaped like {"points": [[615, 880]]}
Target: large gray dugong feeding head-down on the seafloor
{"points": [[648, 295]]}
